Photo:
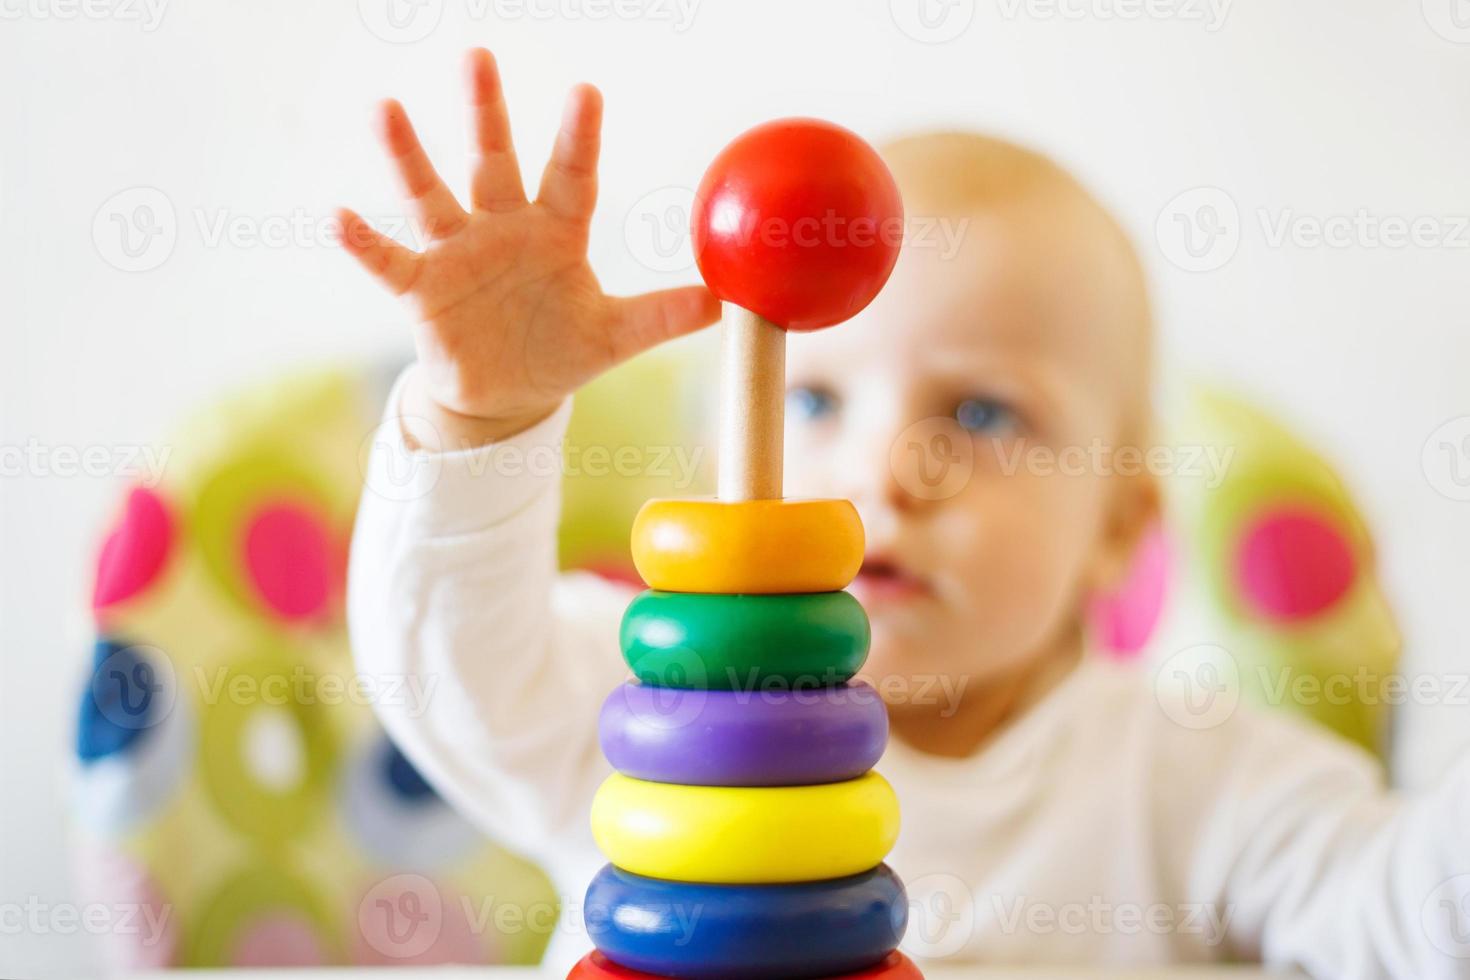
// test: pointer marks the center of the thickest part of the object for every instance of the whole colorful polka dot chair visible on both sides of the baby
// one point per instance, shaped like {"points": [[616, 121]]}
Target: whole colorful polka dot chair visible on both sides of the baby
{"points": [[236, 788]]}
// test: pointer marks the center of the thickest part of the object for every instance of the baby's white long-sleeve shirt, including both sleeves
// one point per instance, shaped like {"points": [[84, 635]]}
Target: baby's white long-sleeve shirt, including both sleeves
{"points": [[1118, 822]]}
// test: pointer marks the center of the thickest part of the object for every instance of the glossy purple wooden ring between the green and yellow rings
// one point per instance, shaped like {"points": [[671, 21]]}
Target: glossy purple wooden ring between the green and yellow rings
{"points": [[745, 738]]}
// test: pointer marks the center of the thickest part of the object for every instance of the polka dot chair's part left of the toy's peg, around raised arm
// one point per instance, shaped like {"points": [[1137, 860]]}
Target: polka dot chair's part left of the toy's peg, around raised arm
{"points": [[233, 781]]}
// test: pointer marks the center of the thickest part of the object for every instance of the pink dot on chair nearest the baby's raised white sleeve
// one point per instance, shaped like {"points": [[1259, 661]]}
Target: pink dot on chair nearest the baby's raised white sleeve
{"points": [[289, 555]]}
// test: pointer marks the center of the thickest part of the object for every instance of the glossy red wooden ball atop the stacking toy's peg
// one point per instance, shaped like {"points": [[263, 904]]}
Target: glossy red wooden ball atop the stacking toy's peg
{"points": [[797, 221]]}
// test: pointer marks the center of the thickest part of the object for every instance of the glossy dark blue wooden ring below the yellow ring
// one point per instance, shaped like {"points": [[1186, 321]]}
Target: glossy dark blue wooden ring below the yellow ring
{"points": [[746, 932]]}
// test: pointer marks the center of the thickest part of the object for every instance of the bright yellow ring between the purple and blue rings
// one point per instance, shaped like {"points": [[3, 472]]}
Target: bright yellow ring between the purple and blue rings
{"points": [[746, 835]]}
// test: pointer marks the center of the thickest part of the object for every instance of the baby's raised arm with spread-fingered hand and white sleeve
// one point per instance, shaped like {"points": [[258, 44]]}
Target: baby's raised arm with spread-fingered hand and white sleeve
{"points": [[453, 577]]}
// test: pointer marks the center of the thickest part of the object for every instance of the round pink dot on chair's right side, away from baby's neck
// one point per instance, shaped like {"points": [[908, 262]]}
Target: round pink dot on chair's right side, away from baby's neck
{"points": [[1293, 565]]}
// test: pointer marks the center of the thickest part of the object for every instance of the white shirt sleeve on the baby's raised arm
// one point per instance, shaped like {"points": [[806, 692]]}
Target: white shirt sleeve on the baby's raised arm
{"points": [[453, 588]]}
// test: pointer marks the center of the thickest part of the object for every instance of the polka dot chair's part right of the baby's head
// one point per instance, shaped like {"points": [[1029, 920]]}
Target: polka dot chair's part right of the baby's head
{"points": [[1265, 556]]}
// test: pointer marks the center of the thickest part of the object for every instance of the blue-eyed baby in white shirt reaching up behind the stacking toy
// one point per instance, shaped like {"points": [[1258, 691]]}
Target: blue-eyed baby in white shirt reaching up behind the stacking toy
{"points": [[1053, 810]]}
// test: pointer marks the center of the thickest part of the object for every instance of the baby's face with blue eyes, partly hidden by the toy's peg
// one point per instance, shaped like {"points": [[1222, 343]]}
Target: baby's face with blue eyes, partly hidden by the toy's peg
{"points": [[950, 414]]}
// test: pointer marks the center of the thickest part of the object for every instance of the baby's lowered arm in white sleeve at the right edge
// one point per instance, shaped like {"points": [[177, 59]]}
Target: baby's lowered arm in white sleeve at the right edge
{"points": [[1319, 866]]}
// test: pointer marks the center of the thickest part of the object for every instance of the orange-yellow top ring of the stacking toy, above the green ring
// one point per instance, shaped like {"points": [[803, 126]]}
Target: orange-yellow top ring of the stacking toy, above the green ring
{"points": [[752, 547]]}
